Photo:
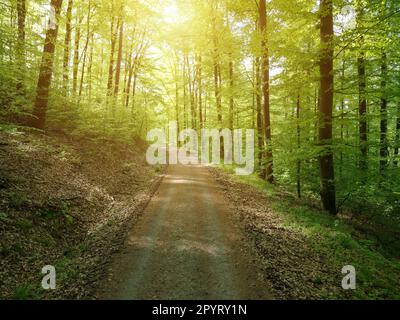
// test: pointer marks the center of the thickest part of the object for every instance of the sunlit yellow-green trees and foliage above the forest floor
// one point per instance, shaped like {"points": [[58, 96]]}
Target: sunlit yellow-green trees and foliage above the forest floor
{"points": [[318, 80]]}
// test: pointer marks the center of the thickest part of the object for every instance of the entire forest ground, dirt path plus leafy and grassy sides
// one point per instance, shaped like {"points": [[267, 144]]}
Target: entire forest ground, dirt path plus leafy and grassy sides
{"points": [[116, 228]]}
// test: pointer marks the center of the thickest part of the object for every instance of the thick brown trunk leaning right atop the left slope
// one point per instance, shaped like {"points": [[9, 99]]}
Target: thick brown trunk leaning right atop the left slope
{"points": [[46, 70]]}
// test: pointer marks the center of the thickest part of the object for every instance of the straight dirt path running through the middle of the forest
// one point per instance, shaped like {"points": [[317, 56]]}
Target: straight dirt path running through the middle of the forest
{"points": [[186, 246]]}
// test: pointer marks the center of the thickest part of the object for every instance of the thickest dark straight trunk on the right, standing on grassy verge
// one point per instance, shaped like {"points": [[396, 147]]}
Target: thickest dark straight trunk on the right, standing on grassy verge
{"points": [[328, 193]]}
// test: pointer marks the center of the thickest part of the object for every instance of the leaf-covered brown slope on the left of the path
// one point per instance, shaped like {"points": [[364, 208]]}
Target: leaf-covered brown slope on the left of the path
{"points": [[66, 202]]}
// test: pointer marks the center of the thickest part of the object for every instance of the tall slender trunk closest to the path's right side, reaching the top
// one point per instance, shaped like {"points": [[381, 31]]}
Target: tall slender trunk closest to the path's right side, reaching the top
{"points": [[265, 90]]}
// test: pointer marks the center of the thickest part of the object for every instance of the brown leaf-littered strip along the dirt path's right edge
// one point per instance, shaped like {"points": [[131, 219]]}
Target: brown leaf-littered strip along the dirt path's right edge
{"points": [[287, 257]]}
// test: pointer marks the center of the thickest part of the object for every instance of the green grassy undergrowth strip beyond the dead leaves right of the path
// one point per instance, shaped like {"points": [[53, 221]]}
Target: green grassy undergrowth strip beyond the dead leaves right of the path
{"points": [[368, 242]]}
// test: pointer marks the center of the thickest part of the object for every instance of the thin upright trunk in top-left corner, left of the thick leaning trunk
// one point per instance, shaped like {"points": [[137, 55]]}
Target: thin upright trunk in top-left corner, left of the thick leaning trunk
{"points": [[21, 11]]}
